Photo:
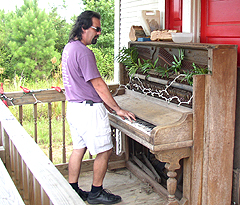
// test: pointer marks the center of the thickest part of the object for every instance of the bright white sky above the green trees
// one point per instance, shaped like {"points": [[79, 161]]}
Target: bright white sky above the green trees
{"points": [[73, 6]]}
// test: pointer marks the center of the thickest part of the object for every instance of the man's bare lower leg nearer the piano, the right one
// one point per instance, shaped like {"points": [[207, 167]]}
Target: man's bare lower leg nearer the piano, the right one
{"points": [[100, 167]]}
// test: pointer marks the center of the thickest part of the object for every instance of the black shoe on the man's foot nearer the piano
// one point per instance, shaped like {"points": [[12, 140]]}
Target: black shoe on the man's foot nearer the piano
{"points": [[103, 197]]}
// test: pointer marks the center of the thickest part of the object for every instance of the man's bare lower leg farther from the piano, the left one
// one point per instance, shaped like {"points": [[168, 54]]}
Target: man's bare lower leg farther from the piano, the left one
{"points": [[74, 165]]}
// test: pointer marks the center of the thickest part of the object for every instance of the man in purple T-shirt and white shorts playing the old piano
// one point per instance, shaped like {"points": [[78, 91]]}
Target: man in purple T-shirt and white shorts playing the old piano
{"points": [[87, 93]]}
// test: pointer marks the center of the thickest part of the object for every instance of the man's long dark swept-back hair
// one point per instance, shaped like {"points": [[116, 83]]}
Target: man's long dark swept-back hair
{"points": [[84, 20]]}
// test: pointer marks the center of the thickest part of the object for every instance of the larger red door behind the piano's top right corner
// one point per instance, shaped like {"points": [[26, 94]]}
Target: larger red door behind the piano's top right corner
{"points": [[220, 22]]}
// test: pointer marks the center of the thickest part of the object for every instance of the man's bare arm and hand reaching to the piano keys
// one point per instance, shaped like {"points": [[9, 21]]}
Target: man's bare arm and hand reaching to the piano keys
{"points": [[102, 89]]}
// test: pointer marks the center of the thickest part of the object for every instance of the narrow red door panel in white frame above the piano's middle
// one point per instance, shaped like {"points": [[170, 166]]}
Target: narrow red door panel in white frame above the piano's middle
{"points": [[173, 15]]}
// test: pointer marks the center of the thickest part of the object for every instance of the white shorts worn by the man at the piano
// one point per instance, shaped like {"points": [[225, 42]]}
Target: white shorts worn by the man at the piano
{"points": [[89, 126]]}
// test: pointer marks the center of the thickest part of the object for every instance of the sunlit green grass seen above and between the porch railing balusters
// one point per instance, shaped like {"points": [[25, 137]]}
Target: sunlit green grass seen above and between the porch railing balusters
{"points": [[42, 119]]}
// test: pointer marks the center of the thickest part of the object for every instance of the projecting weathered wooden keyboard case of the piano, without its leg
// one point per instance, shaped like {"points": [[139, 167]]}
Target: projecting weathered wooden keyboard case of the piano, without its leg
{"points": [[173, 124]]}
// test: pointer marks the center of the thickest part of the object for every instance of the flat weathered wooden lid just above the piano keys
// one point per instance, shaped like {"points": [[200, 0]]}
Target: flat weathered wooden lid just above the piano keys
{"points": [[150, 109]]}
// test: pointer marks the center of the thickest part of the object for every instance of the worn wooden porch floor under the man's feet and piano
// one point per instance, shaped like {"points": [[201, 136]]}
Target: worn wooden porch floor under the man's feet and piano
{"points": [[122, 182]]}
